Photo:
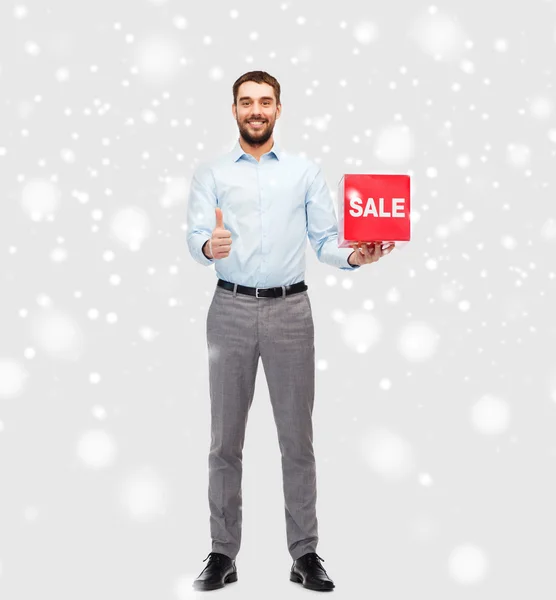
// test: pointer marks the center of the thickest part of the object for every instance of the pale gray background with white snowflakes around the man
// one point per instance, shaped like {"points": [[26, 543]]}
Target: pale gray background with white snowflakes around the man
{"points": [[436, 373]]}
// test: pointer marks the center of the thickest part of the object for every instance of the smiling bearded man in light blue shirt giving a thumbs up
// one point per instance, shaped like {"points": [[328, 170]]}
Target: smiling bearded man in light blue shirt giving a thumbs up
{"points": [[264, 203]]}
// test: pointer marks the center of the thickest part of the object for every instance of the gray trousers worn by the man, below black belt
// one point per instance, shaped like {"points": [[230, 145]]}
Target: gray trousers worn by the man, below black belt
{"points": [[240, 328]]}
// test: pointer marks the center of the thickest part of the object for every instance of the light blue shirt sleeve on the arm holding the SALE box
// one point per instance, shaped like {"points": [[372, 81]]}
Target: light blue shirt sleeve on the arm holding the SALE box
{"points": [[322, 225]]}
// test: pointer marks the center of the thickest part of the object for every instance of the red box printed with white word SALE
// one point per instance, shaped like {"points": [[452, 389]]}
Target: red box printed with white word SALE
{"points": [[373, 208]]}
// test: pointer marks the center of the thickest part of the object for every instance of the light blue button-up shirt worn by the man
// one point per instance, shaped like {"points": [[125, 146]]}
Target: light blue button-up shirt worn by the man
{"points": [[270, 207]]}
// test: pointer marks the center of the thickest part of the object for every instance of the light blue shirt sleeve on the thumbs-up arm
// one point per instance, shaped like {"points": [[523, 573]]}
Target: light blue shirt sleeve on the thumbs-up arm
{"points": [[201, 218]]}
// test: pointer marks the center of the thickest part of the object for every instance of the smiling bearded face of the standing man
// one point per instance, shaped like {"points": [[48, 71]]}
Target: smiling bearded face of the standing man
{"points": [[256, 102]]}
